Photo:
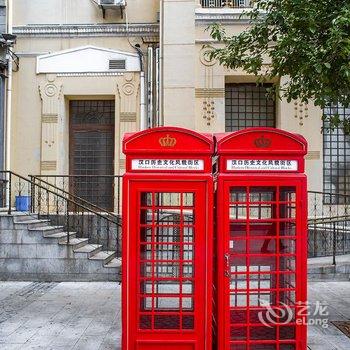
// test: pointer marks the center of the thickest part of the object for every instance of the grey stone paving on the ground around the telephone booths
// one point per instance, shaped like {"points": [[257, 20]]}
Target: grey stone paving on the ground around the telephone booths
{"points": [[64, 316]]}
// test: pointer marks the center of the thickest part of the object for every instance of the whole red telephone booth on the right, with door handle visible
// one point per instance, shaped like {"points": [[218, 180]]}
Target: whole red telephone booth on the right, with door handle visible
{"points": [[262, 240]]}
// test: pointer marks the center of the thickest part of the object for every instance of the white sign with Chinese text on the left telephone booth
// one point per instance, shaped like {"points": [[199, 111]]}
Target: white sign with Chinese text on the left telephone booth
{"points": [[167, 164]]}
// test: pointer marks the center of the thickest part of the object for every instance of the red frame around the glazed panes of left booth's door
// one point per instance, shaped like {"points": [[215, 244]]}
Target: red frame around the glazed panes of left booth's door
{"points": [[202, 271]]}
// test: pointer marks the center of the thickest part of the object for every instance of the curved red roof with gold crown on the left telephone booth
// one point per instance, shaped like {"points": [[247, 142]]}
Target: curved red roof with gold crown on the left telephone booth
{"points": [[168, 140]]}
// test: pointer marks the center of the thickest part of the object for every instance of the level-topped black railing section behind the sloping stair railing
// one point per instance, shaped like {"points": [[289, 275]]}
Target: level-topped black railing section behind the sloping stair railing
{"points": [[102, 190]]}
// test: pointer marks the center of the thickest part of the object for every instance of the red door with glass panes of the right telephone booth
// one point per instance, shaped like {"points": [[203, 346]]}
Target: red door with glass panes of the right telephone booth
{"points": [[264, 264]]}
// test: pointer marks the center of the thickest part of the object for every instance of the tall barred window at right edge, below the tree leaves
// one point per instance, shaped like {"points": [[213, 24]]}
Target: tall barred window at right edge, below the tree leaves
{"points": [[336, 156]]}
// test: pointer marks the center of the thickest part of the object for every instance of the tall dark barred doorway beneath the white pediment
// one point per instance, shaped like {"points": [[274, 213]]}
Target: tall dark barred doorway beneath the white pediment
{"points": [[92, 151]]}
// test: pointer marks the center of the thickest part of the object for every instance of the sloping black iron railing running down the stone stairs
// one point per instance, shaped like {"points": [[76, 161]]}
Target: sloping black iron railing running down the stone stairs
{"points": [[73, 213]]}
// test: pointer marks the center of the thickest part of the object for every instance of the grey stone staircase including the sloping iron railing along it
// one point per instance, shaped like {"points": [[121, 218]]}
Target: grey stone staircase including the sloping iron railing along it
{"points": [[62, 238]]}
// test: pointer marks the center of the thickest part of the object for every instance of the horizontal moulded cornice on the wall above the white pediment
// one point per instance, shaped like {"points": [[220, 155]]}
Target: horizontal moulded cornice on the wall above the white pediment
{"points": [[83, 30]]}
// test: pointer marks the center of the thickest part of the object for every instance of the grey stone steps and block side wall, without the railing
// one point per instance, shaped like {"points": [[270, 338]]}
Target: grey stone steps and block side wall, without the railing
{"points": [[33, 249]]}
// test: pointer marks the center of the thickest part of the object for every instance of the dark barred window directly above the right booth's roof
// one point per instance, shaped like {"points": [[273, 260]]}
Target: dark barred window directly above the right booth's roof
{"points": [[247, 105]]}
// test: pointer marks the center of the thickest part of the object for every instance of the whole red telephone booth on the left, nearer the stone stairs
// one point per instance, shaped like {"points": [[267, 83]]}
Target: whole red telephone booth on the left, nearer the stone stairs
{"points": [[167, 240]]}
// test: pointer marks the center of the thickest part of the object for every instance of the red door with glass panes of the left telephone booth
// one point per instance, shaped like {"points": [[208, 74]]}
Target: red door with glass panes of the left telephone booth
{"points": [[169, 274]]}
